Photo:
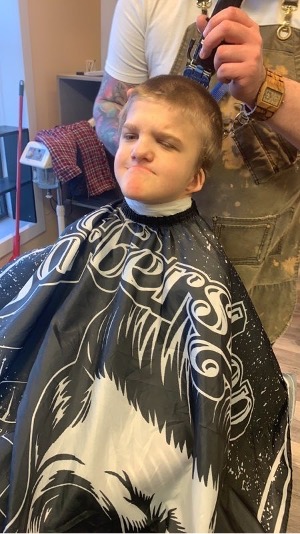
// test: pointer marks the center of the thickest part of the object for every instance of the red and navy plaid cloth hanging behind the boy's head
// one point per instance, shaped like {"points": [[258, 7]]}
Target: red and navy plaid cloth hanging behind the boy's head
{"points": [[75, 149]]}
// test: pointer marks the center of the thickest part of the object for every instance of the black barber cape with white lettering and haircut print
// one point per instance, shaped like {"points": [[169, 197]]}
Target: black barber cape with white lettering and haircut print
{"points": [[138, 390]]}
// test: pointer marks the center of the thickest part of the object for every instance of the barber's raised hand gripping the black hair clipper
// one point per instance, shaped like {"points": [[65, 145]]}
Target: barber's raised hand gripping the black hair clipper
{"points": [[239, 59]]}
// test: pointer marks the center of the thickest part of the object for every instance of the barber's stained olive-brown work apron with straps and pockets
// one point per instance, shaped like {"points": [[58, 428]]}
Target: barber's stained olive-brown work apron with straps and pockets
{"points": [[251, 197]]}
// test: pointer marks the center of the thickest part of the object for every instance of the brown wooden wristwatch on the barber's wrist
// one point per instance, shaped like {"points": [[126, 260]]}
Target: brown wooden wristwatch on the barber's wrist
{"points": [[269, 97]]}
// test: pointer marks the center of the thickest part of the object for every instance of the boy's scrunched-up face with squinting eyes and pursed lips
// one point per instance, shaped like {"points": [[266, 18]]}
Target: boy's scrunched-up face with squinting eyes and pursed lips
{"points": [[157, 155]]}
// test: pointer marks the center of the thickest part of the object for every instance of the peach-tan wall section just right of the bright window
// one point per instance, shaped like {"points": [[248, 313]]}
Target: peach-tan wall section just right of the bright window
{"points": [[58, 36]]}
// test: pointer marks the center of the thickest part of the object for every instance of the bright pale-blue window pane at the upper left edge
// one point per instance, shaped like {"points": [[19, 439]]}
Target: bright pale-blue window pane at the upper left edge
{"points": [[11, 65]]}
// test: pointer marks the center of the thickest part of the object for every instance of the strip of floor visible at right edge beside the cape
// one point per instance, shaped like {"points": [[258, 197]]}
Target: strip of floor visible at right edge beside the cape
{"points": [[287, 350]]}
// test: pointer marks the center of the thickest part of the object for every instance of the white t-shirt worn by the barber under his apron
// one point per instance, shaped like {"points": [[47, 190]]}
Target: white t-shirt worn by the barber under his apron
{"points": [[146, 34]]}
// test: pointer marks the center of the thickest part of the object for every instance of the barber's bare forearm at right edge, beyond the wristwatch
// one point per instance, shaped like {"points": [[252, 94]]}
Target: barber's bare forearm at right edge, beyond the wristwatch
{"points": [[286, 120]]}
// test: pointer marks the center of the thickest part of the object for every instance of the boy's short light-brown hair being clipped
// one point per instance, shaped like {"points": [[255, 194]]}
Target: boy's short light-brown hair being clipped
{"points": [[194, 101]]}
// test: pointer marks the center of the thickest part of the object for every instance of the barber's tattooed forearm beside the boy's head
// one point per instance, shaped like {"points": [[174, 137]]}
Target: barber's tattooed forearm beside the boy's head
{"points": [[106, 118]]}
